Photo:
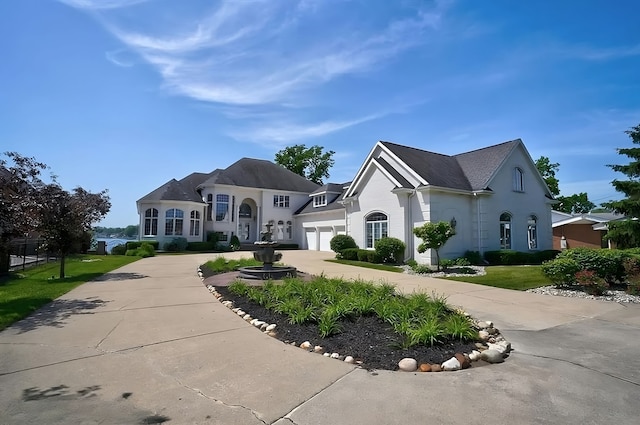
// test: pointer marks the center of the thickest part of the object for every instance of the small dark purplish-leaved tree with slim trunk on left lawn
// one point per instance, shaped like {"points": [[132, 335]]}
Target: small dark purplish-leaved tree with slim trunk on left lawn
{"points": [[64, 218]]}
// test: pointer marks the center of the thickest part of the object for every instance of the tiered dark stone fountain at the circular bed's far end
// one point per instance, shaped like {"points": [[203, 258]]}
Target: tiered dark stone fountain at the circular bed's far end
{"points": [[265, 252]]}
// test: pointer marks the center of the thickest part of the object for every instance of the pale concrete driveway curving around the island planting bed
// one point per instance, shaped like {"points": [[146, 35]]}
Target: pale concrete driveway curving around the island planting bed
{"points": [[148, 344]]}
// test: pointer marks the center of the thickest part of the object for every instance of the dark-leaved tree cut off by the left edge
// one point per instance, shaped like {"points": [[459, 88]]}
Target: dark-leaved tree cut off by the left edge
{"points": [[20, 179]]}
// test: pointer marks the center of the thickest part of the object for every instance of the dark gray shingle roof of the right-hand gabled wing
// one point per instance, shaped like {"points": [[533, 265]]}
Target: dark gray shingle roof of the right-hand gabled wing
{"points": [[466, 171]]}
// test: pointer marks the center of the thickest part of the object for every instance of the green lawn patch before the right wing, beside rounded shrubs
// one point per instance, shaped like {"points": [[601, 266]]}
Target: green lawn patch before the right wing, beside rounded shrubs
{"points": [[509, 277]]}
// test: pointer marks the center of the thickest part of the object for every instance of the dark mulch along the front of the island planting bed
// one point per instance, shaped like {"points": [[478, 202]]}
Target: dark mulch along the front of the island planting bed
{"points": [[366, 338]]}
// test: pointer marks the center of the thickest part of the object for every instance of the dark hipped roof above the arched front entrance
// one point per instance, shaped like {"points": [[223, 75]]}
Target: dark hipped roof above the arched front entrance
{"points": [[261, 174]]}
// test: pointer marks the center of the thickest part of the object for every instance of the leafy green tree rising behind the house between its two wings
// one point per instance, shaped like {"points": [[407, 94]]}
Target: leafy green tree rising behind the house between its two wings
{"points": [[311, 163]]}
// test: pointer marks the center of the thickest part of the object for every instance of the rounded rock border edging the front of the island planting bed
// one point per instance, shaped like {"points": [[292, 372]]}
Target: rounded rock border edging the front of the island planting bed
{"points": [[493, 348]]}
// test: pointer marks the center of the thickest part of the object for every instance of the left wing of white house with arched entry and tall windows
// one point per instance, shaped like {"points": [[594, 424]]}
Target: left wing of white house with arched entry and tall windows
{"points": [[239, 200]]}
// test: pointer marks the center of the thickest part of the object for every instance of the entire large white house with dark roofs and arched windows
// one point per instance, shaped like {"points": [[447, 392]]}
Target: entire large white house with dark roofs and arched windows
{"points": [[495, 198]]}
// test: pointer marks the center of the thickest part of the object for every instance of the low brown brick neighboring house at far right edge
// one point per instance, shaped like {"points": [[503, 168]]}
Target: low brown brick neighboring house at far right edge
{"points": [[581, 230]]}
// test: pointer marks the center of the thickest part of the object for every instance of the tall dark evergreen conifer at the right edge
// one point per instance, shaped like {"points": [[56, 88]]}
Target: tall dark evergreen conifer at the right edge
{"points": [[626, 233]]}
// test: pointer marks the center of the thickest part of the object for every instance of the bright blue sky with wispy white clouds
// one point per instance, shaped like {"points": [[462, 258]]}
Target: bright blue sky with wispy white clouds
{"points": [[126, 94]]}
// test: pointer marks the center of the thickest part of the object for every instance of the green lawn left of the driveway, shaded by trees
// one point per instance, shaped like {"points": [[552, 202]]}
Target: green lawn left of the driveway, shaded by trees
{"points": [[23, 292]]}
